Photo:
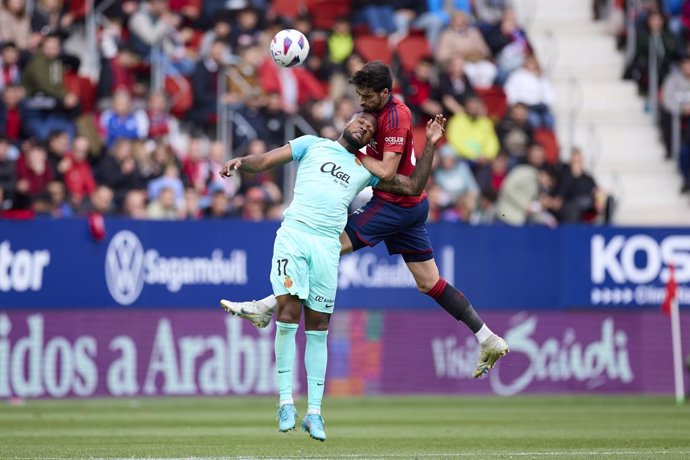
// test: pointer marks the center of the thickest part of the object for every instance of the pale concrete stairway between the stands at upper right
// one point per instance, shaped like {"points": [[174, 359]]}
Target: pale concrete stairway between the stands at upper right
{"points": [[620, 140]]}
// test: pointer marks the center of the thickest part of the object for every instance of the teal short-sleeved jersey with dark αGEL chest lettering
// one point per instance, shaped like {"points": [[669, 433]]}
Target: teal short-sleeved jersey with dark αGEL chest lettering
{"points": [[328, 179]]}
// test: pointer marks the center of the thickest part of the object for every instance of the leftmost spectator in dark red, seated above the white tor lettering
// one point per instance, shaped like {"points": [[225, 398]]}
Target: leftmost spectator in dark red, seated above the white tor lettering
{"points": [[33, 175]]}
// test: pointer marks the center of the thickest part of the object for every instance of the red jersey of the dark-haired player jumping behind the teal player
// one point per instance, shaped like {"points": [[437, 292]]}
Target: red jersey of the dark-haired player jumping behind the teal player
{"points": [[394, 134]]}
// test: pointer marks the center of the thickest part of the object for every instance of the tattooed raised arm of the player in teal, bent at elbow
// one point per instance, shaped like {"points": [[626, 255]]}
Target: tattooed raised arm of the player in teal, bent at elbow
{"points": [[415, 183]]}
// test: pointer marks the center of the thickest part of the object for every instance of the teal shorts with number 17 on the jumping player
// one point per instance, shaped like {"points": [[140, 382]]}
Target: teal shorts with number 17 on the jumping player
{"points": [[306, 265]]}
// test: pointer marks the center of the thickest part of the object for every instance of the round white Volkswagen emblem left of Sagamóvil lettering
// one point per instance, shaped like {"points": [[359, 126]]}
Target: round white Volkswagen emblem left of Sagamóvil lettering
{"points": [[124, 267]]}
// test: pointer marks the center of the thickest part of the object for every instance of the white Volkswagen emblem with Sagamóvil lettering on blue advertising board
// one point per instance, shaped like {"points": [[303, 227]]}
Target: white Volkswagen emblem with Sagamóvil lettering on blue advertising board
{"points": [[129, 267]]}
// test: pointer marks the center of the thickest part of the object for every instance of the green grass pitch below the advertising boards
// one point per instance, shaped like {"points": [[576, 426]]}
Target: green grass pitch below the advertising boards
{"points": [[373, 427]]}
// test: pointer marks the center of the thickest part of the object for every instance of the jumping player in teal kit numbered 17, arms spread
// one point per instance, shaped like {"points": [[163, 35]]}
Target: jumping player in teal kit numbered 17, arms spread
{"points": [[306, 251]]}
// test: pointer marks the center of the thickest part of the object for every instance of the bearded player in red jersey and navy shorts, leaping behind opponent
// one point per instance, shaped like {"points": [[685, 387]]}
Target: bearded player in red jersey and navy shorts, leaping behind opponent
{"points": [[399, 221]]}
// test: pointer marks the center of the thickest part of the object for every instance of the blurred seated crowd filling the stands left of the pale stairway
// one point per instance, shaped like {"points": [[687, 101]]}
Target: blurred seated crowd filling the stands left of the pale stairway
{"points": [[120, 145]]}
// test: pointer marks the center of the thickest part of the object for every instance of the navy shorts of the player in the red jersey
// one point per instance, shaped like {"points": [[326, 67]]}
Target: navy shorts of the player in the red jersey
{"points": [[402, 229]]}
